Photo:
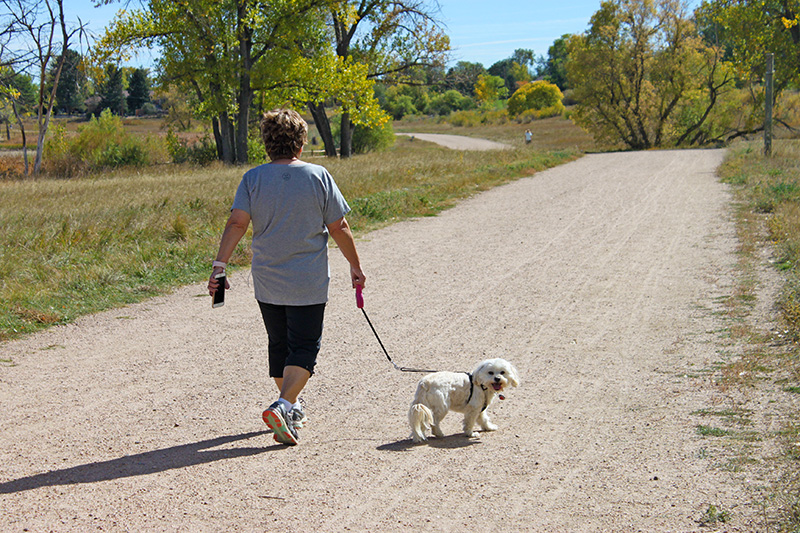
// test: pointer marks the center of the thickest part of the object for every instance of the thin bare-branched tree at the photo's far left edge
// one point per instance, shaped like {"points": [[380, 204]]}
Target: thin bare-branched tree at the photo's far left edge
{"points": [[34, 34]]}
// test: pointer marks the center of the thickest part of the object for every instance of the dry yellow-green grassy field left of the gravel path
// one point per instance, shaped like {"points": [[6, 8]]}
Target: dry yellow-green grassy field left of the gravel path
{"points": [[78, 246]]}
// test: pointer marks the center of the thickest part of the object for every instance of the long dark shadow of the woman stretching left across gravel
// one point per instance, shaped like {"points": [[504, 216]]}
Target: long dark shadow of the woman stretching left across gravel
{"points": [[140, 464]]}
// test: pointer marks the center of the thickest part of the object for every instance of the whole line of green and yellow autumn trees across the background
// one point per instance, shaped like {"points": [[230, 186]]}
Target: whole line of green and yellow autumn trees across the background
{"points": [[645, 73]]}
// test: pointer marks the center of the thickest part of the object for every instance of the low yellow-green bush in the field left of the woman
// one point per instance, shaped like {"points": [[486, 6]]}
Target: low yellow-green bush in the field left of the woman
{"points": [[101, 144]]}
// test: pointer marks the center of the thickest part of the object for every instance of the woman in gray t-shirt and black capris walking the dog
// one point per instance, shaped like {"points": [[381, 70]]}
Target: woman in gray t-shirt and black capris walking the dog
{"points": [[293, 206]]}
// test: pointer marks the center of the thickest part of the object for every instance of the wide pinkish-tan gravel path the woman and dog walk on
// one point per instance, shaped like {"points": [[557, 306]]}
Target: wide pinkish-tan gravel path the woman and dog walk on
{"points": [[600, 280]]}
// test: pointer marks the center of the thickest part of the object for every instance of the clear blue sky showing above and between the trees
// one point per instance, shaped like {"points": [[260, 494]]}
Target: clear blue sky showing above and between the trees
{"points": [[480, 31]]}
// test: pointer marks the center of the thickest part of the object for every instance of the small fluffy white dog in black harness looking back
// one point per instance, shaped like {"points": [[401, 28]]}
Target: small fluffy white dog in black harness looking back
{"points": [[471, 394]]}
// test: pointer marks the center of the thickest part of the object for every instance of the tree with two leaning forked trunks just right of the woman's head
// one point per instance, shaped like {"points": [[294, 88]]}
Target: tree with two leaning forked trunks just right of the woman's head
{"points": [[391, 37]]}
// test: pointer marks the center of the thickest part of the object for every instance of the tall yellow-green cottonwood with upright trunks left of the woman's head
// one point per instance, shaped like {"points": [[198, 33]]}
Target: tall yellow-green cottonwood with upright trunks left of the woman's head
{"points": [[226, 51]]}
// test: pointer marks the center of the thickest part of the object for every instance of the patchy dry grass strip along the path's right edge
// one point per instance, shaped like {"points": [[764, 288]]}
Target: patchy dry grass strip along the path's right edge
{"points": [[767, 212]]}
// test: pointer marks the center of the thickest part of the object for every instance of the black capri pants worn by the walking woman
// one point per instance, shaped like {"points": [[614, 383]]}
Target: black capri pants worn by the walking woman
{"points": [[295, 334]]}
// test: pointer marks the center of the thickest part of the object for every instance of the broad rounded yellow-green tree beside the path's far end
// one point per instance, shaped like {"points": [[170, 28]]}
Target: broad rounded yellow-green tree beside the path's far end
{"points": [[643, 77]]}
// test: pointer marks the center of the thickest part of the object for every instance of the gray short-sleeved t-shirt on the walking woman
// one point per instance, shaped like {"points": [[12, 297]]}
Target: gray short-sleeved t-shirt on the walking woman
{"points": [[289, 206]]}
